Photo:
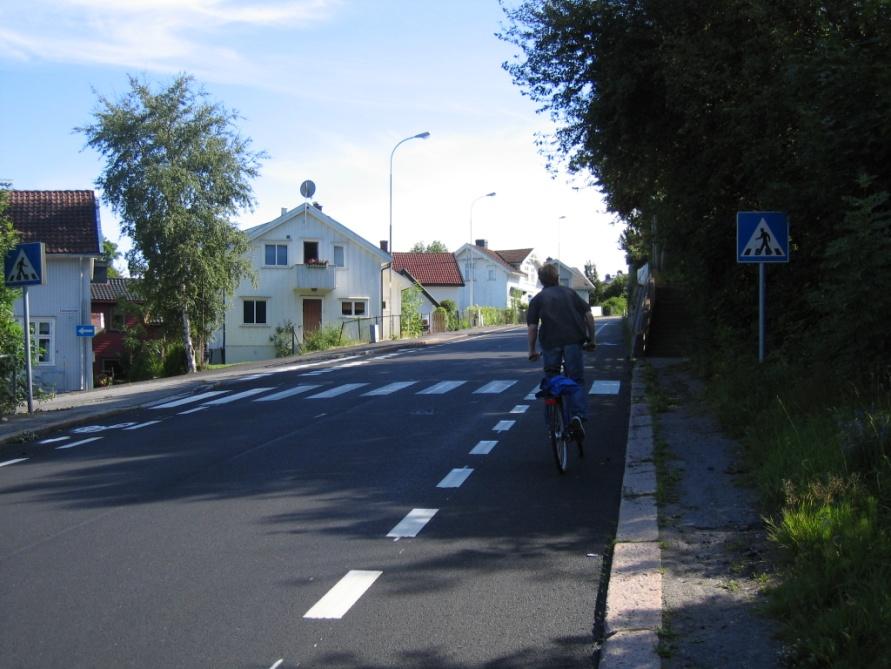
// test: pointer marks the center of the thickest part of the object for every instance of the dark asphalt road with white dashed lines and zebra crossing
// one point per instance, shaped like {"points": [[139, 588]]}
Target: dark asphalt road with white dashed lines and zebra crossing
{"points": [[400, 510]]}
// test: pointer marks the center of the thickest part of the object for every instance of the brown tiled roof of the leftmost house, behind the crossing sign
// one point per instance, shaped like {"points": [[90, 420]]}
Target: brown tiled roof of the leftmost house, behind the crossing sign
{"points": [[66, 221]]}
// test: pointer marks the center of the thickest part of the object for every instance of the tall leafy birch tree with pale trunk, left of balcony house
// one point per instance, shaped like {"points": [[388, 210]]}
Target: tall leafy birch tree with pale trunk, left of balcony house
{"points": [[176, 171]]}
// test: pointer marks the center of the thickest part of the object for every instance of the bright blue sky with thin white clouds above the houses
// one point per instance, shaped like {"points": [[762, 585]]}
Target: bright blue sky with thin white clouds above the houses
{"points": [[326, 88]]}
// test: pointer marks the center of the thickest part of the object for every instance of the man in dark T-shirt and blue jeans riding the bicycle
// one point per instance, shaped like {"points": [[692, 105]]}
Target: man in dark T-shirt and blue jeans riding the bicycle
{"points": [[567, 326]]}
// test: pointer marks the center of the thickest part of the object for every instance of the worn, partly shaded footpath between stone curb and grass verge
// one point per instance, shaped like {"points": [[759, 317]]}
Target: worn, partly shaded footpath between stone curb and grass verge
{"points": [[715, 556]]}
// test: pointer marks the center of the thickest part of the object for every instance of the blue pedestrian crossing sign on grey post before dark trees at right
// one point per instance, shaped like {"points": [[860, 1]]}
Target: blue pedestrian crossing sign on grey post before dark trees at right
{"points": [[762, 237]]}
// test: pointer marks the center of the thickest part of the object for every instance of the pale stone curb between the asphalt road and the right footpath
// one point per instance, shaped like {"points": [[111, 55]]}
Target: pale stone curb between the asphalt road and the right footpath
{"points": [[634, 596]]}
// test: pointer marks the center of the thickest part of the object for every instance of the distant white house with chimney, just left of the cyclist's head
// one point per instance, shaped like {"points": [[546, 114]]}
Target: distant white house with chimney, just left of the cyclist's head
{"points": [[497, 278]]}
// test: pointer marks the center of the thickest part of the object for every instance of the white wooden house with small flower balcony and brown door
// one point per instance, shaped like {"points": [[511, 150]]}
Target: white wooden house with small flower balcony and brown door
{"points": [[311, 272]]}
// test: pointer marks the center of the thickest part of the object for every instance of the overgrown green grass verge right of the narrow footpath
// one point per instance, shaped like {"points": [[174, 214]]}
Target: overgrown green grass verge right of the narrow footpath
{"points": [[821, 459]]}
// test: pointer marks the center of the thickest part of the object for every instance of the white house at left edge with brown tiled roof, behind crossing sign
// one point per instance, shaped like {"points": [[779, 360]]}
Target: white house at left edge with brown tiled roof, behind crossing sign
{"points": [[67, 222]]}
